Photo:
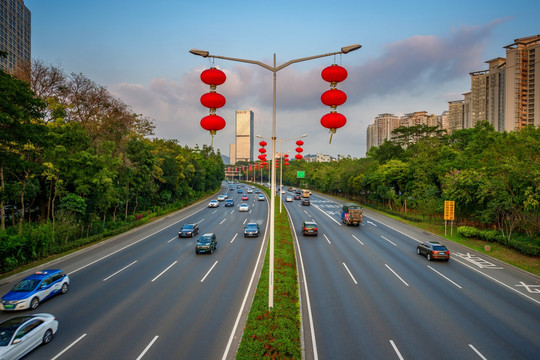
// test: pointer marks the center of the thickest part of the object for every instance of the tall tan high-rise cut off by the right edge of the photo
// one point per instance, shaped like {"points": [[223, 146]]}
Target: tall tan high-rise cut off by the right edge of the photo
{"points": [[522, 106]]}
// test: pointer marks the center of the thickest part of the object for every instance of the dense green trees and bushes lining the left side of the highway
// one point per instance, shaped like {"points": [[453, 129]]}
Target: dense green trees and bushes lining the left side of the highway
{"points": [[76, 164]]}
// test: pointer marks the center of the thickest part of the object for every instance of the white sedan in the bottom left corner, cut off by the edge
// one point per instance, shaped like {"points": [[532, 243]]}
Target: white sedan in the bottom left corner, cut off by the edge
{"points": [[21, 334]]}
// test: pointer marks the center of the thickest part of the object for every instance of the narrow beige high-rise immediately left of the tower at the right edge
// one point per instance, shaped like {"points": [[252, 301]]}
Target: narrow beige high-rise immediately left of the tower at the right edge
{"points": [[496, 92]]}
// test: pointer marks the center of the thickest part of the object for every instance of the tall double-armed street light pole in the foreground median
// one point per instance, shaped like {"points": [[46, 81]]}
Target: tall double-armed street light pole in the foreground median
{"points": [[274, 69]]}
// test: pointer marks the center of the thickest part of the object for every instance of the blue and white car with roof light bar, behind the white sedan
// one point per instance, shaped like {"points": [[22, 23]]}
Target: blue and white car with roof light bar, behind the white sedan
{"points": [[29, 292]]}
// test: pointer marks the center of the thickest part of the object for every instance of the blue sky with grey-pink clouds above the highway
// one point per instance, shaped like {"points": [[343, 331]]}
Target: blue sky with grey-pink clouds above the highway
{"points": [[415, 56]]}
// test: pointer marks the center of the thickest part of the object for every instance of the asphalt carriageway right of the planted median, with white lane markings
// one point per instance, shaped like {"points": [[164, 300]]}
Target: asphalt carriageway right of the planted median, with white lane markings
{"points": [[366, 294]]}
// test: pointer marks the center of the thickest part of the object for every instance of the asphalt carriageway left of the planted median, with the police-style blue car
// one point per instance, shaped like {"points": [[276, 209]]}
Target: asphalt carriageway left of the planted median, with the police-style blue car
{"points": [[147, 295]]}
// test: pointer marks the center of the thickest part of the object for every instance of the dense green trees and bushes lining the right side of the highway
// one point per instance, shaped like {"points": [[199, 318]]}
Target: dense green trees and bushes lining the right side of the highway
{"points": [[494, 179]]}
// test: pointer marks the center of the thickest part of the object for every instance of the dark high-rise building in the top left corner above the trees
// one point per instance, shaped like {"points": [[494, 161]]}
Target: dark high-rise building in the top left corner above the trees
{"points": [[15, 35]]}
